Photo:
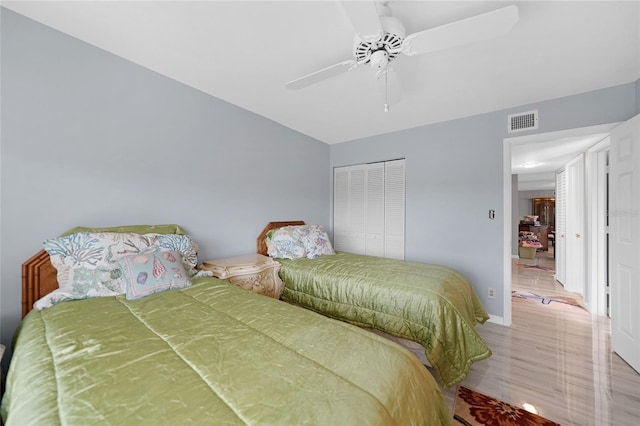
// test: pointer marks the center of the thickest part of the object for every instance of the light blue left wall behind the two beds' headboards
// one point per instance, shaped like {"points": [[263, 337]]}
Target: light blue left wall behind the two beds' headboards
{"points": [[91, 139]]}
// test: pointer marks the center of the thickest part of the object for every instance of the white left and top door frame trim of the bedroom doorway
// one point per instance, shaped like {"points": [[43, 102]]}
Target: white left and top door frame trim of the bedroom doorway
{"points": [[507, 202]]}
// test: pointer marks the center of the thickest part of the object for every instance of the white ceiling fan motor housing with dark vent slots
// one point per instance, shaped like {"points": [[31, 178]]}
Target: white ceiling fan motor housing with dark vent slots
{"points": [[389, 44]]}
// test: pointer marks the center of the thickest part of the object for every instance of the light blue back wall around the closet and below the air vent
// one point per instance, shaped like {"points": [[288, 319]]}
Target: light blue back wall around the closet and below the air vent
{"points": [[454, 176]]}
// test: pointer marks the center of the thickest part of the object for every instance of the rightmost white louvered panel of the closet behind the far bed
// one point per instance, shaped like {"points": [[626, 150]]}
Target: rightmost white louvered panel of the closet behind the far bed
{"points": [[394, 209]]}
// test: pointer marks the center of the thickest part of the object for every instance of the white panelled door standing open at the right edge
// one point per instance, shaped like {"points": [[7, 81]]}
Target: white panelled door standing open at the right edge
{"points": [[624, 234]]}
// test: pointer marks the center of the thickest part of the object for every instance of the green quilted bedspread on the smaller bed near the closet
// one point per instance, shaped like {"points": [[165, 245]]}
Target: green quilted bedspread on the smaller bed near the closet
{"points": [[432, 305]]}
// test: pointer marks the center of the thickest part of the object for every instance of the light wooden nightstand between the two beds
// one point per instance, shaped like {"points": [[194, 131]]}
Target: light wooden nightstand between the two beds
{"points": [[253, 272]]}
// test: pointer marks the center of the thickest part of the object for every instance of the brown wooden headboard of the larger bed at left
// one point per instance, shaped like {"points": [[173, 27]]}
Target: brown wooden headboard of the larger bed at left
{"points": [[39, 278]]}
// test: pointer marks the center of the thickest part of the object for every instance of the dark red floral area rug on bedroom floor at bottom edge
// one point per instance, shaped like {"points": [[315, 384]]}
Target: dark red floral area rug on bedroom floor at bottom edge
{"points": [[476, 409]]}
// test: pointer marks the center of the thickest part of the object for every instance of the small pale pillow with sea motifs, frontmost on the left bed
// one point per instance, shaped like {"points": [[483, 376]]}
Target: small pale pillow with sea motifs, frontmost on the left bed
{"points": [[152, 272]]}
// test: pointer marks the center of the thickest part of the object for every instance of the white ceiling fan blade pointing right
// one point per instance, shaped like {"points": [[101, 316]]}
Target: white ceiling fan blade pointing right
{"points": [[477, 28]]}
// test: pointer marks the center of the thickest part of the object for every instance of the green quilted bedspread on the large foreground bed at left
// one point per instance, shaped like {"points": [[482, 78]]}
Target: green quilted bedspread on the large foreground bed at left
{"points": [[212, 353]]}
